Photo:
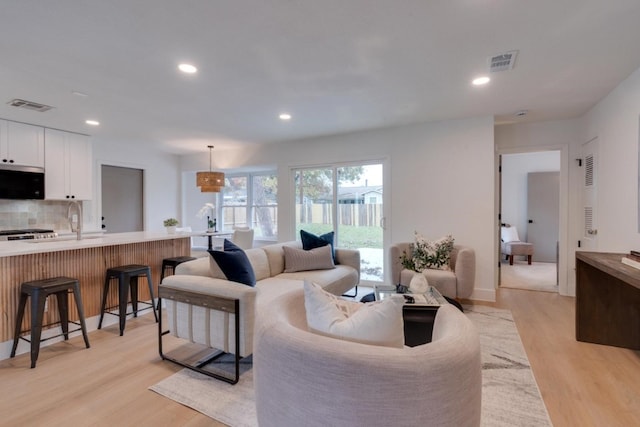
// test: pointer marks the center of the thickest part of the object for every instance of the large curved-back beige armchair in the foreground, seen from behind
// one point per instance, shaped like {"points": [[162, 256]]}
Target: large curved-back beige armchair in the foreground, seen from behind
{"points": [[304, 378]]}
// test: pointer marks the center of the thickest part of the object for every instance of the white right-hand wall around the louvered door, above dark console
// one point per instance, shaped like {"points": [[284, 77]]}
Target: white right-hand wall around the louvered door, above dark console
{"points": [[614, 121]]}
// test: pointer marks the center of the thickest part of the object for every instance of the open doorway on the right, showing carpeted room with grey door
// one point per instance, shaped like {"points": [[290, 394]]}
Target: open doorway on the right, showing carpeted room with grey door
{"points": [[530, 211]]}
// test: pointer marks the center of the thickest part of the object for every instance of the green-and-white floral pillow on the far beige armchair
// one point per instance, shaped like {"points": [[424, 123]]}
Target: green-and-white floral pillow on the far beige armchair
{"points": [[425, 254]]}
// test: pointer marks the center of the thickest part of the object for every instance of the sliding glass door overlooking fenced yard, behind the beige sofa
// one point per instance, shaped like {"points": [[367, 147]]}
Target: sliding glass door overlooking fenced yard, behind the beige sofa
{"points": [[346, 199]]}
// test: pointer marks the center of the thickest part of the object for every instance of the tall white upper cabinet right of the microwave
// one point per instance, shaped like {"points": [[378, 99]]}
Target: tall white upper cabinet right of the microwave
{"points": [[68, 172]]}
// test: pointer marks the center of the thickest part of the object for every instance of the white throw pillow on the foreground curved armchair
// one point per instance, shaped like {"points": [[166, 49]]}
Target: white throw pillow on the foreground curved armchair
{"points": [[376, 323]]}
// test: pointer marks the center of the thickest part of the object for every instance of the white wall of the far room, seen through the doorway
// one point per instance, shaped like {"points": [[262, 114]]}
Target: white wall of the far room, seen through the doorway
{"points": [[515, 170]]}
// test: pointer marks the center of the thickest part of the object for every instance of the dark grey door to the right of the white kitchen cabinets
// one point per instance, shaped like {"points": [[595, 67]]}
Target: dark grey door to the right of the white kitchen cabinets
{"points": [[122, 196]]}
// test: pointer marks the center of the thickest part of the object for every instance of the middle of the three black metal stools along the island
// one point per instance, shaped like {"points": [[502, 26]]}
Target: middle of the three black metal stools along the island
{"points": [[127, 276]]}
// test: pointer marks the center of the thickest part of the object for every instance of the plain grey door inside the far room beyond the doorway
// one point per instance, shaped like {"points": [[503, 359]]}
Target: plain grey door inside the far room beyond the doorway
{"points": [[543, 207]]}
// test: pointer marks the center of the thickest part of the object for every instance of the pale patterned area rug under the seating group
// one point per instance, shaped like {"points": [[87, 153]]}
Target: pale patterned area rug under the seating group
{"points": [[510, 395]]}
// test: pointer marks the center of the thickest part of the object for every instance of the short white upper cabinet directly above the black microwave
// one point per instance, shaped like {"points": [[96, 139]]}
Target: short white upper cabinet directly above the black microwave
{"points": [[21, 144]]}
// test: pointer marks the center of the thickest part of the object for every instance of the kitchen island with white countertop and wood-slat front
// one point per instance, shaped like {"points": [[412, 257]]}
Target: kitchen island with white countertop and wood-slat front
{"points": [[85, 260]]}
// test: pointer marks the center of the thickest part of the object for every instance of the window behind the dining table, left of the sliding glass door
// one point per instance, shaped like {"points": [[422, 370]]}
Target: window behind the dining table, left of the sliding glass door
{"points": [[250, 201]]}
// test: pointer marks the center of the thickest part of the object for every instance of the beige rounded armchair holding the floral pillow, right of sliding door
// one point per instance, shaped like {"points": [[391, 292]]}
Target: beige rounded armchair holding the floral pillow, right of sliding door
{"points": [[458, 282]]}
